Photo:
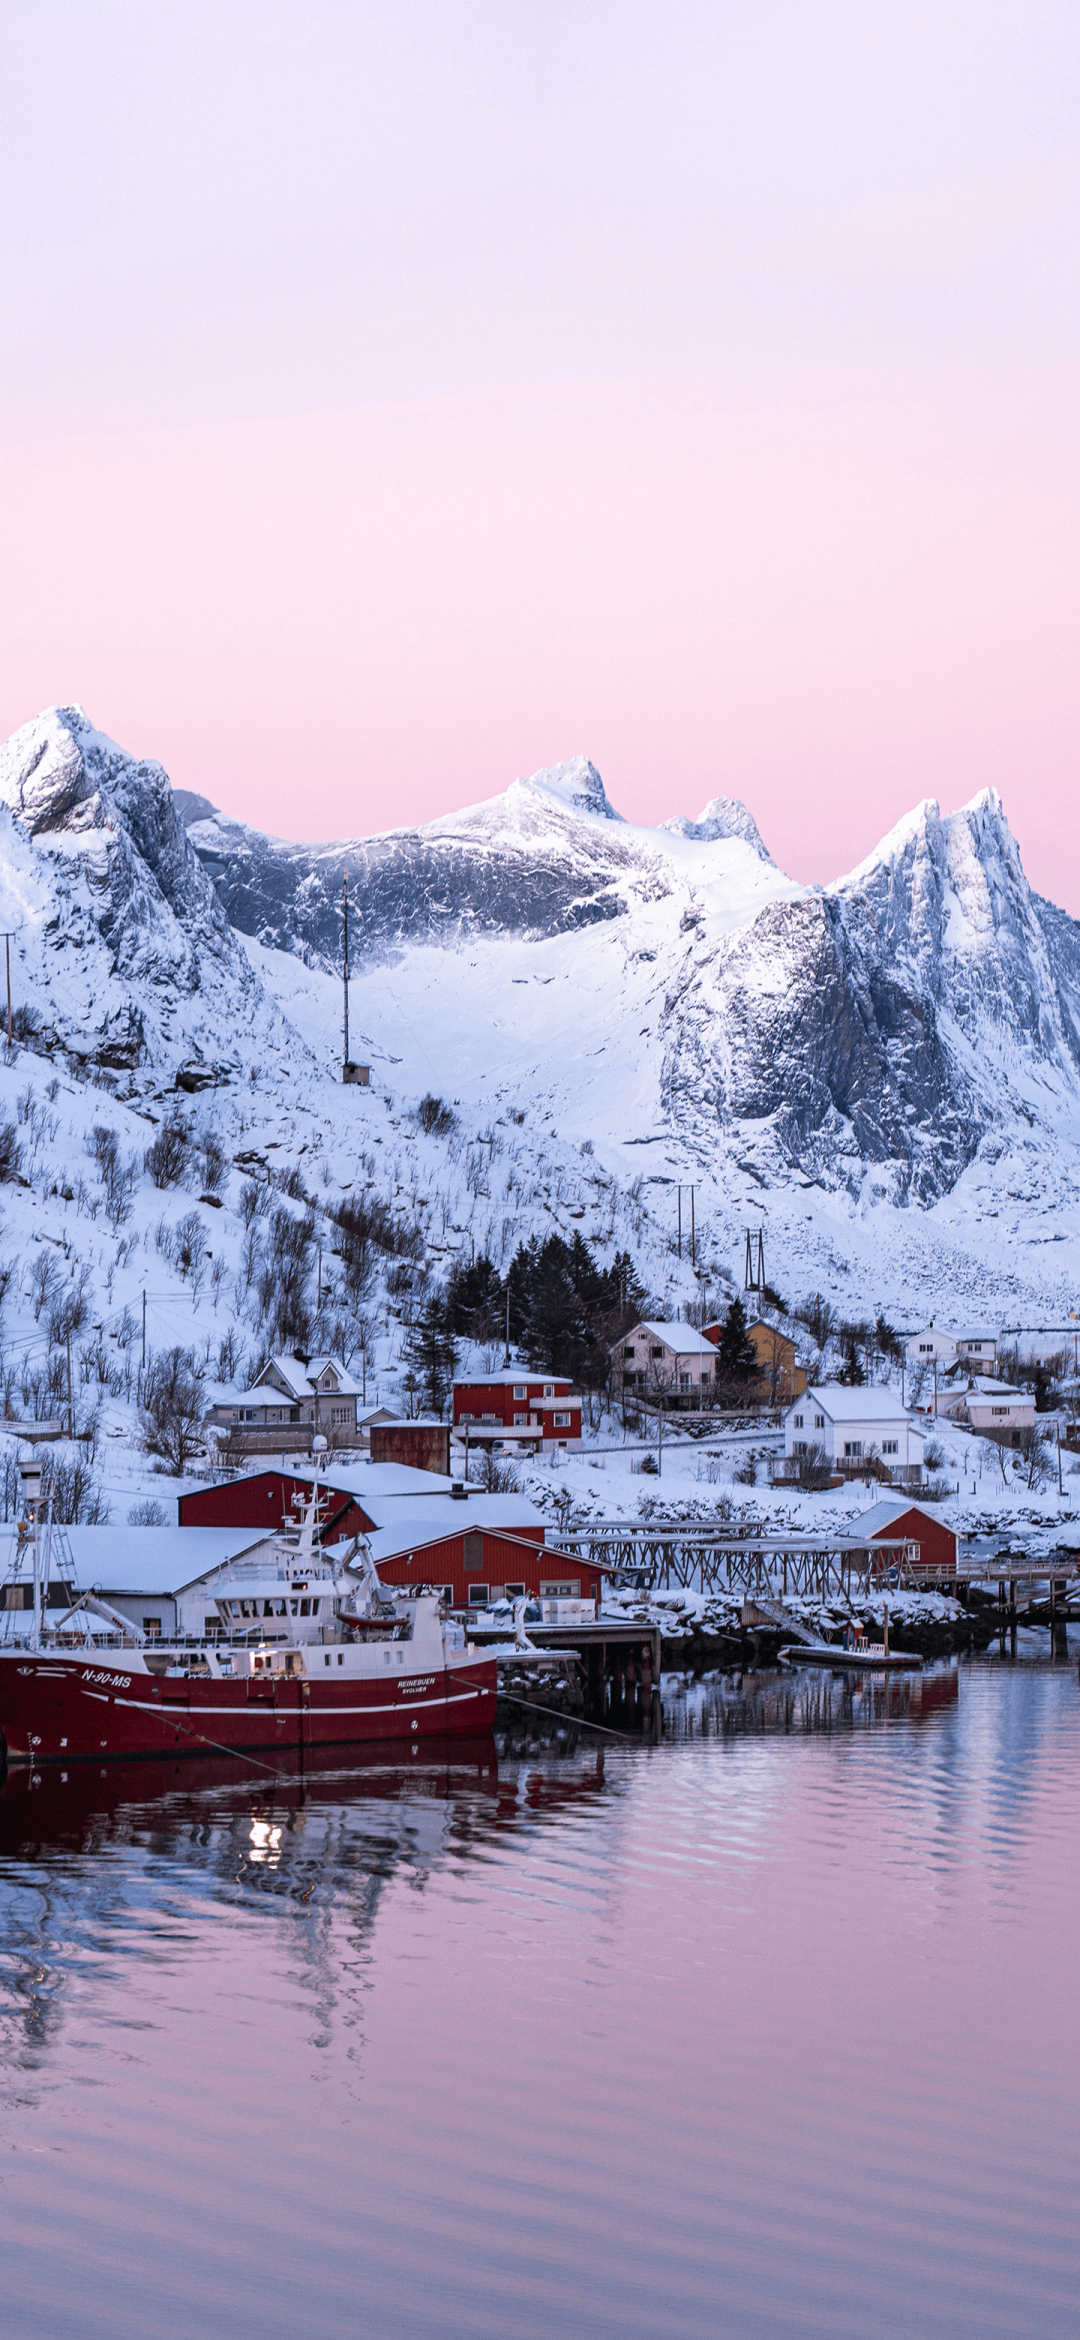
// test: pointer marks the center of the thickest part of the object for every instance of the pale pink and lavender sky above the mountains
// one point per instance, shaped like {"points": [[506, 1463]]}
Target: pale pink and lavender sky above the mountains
{"points": [[401, 401]]}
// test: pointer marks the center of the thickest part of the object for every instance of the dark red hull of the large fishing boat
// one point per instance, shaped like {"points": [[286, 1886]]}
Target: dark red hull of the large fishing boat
{"points": [[71, 1709]]}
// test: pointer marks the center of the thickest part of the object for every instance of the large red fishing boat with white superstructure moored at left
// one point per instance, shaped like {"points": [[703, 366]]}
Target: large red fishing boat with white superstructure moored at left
{"points": [[356, 1665]]}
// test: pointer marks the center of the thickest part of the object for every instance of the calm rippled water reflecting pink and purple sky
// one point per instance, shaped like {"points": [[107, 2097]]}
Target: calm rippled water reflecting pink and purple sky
{"points": [[770, 2030]]}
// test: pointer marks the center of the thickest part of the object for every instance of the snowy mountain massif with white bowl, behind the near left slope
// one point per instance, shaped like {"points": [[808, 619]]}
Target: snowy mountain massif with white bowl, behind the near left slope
{"points": [[882, 1073]]}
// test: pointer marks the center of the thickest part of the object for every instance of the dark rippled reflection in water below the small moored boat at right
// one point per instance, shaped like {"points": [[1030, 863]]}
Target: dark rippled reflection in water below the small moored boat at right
{"points": [[805, 1700]]}
